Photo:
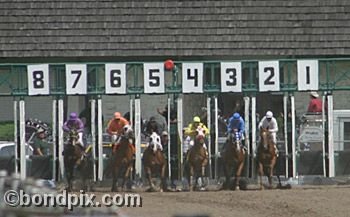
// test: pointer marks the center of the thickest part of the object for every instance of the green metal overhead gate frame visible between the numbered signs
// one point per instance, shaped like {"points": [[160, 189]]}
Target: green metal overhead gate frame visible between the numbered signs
{"points": [[334, 75]]}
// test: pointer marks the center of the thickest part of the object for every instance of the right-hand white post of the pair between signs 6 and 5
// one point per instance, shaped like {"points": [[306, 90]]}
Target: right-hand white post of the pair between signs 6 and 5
{"points": [[138, 166]]}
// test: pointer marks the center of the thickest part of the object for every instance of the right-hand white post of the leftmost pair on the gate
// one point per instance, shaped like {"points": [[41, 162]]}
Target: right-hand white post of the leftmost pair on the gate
{"points": [[22, 139]]}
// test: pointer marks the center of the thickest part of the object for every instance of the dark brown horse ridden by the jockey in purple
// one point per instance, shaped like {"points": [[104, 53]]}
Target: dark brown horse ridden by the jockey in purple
{"points": [[73, 158]]}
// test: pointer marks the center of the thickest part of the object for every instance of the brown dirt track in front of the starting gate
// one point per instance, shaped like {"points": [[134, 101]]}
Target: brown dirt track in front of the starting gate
{"points": [[310, 201]]}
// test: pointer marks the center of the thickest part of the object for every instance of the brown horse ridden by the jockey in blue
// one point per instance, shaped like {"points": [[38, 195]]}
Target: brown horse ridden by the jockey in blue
{"points": [[233, 154]]}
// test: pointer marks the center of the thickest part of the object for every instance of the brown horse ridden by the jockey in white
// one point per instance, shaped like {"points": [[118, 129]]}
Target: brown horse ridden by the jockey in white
{"points": [[266, 156]]}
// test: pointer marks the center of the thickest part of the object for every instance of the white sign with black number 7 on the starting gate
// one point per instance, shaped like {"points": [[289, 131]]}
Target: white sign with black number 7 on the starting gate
{"points": [[76, 79]]}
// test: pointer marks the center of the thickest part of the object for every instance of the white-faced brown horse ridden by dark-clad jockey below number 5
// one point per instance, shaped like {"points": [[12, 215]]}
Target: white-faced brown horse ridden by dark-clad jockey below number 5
{"points": [[153, 161]]}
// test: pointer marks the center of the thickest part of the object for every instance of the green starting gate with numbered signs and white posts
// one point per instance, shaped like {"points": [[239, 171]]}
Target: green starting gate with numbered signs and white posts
{"points": [[312, 138]]}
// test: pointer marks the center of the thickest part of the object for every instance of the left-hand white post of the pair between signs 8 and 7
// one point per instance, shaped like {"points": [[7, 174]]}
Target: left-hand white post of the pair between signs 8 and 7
{"points": [[54, 139]]}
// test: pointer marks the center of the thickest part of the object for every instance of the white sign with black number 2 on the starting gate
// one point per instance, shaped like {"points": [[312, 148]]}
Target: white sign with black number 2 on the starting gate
{"points": [[269, 76]]}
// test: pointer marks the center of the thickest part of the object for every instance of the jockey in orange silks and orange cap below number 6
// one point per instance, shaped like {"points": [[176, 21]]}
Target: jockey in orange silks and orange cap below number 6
{"points": [[115, 129]]}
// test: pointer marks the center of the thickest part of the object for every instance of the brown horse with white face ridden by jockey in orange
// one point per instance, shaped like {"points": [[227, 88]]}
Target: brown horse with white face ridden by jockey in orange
{"points": [[122, 158]]}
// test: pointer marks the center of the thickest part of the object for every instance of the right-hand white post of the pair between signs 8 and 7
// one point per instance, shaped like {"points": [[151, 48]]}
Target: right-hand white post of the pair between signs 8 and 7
{"points": [[60, 138]]}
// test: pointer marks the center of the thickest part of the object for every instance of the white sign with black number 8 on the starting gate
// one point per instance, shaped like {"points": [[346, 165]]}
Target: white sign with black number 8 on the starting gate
{"points": [[38, 79]]}
